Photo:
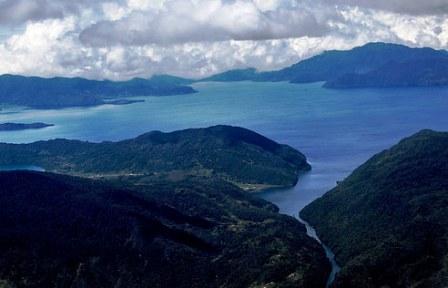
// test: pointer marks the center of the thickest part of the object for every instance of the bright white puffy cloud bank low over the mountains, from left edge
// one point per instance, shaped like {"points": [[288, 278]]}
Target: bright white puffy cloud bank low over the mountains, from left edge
{"points": [[52, 48]]}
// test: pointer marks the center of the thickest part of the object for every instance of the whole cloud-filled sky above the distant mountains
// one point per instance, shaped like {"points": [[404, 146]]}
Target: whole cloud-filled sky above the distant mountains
{"points": [[123, 39]]}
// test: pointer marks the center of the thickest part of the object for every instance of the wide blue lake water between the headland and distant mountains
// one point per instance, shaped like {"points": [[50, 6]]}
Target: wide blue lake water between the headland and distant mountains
{"points": [[336, 129]]}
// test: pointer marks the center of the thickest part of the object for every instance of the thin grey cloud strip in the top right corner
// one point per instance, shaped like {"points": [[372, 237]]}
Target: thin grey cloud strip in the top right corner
{"points": [[413, 7]]}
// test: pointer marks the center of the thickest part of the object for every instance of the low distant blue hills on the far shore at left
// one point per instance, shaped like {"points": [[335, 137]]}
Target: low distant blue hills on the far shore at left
{"points": [[43, 93]]}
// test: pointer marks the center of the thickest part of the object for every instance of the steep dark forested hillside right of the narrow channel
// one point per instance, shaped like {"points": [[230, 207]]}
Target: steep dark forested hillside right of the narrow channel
{"points": [[388, 222]]}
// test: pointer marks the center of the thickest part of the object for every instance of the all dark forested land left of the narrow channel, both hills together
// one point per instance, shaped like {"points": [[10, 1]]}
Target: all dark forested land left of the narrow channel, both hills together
{"points": [[159, 210]]}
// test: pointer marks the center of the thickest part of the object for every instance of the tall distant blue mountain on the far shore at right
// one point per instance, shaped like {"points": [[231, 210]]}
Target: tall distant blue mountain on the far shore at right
{"points": [[372, 65]]}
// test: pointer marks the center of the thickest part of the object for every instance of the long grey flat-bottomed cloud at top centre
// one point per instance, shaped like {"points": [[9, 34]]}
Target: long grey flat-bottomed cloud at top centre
{"points": [[183, 21]]}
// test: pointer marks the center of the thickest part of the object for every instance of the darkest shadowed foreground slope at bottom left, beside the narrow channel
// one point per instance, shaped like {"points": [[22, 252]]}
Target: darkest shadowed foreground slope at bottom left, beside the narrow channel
{"points": [[59, 231]]}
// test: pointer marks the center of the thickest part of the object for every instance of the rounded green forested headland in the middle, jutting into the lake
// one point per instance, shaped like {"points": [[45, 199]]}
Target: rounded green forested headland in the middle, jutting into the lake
{"points": [[233, 154]]}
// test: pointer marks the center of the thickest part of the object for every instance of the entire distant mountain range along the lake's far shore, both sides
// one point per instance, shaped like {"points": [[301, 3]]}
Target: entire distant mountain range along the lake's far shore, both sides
{"points": [[372, 65]]}
